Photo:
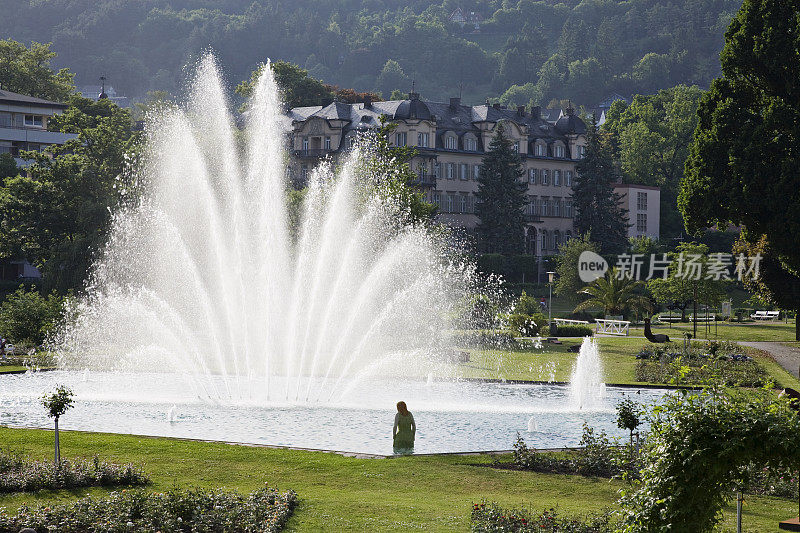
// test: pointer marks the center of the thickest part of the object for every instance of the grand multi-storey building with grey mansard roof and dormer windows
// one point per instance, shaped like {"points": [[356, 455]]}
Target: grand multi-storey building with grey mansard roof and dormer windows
{"points": [[450, 140]]}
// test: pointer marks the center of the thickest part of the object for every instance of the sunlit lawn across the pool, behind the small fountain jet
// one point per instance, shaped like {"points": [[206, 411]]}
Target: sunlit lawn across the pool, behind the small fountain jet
{"points": [[554, 363]]}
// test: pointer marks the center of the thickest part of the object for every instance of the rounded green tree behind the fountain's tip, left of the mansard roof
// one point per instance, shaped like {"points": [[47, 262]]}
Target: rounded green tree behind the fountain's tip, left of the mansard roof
{"points": [[297, 87]]}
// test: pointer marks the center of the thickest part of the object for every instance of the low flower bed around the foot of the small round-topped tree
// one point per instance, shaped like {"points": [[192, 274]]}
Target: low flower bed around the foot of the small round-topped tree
{"points": [[18, 474]]}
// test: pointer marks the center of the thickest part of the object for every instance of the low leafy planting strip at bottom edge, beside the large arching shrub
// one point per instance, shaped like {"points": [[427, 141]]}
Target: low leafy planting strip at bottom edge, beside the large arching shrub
{"points": [[489, 517]]}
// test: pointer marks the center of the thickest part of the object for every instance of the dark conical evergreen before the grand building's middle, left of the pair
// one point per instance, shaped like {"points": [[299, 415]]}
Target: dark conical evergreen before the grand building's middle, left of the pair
{"points": [[501, 197]]}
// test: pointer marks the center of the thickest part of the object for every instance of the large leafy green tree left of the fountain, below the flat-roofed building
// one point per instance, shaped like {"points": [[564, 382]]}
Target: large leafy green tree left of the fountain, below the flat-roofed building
{"points": [[58, 214]]}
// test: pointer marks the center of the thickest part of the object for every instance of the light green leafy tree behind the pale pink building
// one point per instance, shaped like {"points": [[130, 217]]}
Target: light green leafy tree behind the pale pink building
{"points": [[652, 136]]}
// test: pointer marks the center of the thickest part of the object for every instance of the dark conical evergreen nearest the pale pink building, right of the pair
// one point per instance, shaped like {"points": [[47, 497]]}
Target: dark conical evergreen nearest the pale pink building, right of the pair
{"points": [[597, 206]]}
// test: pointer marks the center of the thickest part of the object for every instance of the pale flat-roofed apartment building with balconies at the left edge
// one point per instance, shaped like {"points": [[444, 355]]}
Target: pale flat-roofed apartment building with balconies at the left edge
{"points": [[23, 124]]}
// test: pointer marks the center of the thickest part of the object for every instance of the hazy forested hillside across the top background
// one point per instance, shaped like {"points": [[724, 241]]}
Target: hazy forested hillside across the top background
{"points": [[526, 51]]}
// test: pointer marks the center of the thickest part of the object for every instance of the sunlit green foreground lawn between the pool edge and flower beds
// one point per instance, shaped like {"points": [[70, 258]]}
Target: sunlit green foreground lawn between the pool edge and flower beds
{"points": [[346, 494]]}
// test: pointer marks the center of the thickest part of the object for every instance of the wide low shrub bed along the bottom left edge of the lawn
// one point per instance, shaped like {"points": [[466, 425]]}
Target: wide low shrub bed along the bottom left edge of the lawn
{"points": [[139, 511]]}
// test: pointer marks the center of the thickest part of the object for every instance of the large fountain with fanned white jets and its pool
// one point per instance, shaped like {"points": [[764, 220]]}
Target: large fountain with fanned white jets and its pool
{"points": [[218, 311]]}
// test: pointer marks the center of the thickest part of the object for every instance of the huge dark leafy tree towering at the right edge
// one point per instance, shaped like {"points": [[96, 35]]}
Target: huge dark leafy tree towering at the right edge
{"points": [[742, 166]]}
